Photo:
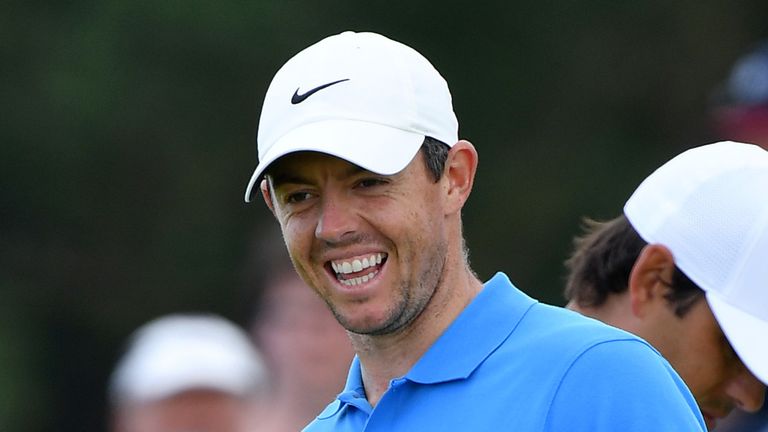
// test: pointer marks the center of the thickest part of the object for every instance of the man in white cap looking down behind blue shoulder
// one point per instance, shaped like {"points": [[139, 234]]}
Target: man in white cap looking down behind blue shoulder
{"points": [[696, 228]]}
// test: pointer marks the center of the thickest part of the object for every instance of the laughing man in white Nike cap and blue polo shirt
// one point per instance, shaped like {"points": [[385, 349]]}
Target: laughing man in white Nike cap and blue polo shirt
{"points": [[361, 165]]}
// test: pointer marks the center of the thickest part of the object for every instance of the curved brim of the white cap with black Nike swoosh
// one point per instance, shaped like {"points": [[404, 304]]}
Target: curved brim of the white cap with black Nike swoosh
{"points": [[371, 146]]}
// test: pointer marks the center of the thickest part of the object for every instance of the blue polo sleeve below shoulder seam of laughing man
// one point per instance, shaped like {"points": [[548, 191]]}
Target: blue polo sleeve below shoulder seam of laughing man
{"points": [[623, 386]]}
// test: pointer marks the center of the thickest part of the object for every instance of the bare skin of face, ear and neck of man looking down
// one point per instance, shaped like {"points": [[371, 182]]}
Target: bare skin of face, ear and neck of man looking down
{"points": [[694, 344]]}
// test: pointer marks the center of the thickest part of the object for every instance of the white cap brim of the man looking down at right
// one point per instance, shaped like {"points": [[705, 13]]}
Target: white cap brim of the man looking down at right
{"points": [[745, 333]]}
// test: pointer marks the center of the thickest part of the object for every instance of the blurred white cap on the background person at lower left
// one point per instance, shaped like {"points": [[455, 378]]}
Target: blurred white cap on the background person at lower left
{"points": [[182, 352]]}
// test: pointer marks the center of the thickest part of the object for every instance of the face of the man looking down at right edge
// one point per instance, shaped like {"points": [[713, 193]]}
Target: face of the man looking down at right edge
{"points": [[699, 351]]}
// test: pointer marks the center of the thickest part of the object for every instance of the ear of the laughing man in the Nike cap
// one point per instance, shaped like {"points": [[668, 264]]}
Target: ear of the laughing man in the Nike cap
{"points": [[459, 174]]}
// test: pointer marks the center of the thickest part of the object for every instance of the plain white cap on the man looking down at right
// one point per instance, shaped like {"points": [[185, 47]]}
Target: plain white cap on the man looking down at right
{"points": [[709, 206]]}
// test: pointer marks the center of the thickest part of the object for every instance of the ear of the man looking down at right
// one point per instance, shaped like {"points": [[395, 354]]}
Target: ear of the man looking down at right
{"points": [[649, 279]]}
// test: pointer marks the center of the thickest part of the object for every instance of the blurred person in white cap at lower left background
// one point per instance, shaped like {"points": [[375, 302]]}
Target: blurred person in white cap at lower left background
{"points": [[187, 372]]}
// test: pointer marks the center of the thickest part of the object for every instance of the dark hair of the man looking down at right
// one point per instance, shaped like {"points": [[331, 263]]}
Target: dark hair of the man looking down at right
{"points": [[602, 261]]}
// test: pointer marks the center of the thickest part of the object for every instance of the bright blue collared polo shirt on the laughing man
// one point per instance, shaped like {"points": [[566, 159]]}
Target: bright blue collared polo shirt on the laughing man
{"points": [[510, 363]]}
